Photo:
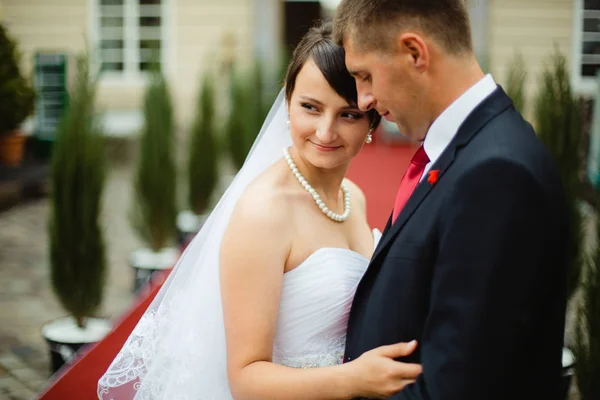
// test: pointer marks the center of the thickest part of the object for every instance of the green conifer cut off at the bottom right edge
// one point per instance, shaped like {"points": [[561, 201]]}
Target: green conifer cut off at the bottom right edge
{"points": [[587, 342]]}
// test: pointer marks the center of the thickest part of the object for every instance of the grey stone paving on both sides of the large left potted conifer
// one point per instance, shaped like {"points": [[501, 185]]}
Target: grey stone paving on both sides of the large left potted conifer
{"points": [[26, 299]]}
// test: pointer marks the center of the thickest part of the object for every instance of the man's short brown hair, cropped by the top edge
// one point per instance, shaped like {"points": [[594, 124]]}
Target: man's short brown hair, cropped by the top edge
{"points": [[375, 24]]}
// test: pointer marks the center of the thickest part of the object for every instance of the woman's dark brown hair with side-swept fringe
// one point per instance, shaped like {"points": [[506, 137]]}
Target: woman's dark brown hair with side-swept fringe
{"points": [[317, 44]]}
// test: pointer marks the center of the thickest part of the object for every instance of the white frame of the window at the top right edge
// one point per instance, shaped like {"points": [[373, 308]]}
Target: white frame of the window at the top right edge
{"points": [[585, 85]]}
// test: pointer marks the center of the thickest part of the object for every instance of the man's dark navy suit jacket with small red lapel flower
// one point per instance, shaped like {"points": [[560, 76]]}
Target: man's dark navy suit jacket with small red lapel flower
{"points": [[475, 268]]}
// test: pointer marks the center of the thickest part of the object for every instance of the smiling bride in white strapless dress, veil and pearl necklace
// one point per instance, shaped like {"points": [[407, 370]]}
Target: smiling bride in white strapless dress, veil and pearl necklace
{"points": [[257, 306]]}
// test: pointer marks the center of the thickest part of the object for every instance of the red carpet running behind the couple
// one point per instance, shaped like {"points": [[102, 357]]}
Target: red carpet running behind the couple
{"points": [[377, 170]]}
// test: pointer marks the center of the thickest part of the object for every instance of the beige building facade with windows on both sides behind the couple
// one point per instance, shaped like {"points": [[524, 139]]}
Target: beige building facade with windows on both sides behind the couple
{"points": [[194, 35]]}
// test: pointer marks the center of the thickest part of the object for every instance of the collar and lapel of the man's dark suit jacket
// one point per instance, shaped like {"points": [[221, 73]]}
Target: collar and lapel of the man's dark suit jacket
{"points": [[493, 105]]}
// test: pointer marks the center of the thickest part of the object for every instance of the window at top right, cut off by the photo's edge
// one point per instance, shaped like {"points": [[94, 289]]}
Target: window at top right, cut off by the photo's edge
{"points": [[586, 45]]}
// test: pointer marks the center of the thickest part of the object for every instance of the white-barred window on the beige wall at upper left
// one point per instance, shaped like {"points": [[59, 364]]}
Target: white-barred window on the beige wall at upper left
{"points": [[130, 35]]}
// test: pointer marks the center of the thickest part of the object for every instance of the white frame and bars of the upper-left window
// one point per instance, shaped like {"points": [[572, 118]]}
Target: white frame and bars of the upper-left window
{"points": [[131, 73]]}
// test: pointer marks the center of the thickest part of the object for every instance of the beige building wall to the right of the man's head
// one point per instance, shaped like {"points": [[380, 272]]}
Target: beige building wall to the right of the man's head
{"points": [[534, 28]]}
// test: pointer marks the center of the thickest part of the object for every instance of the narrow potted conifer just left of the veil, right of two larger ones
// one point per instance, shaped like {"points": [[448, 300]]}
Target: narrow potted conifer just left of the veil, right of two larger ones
{"points": [[202, 164]]}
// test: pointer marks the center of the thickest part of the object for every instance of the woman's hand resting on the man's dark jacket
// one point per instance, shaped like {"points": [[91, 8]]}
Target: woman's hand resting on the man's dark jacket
{"points": [[380, 375]]}
